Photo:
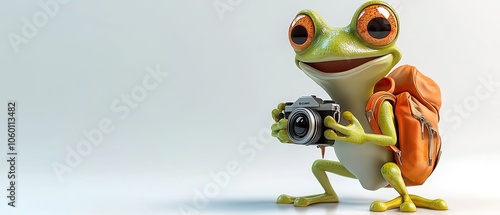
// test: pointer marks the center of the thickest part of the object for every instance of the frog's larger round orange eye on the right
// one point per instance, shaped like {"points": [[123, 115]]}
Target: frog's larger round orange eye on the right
{"points": [[377, 25]]}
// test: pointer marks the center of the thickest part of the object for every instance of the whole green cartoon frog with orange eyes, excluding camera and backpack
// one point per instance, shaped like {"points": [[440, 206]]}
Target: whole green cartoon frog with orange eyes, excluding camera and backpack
{"points": [[347, 62]]}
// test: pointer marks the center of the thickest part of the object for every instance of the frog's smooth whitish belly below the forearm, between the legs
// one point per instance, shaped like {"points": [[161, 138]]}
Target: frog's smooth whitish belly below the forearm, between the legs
{"points": [[365, 162]]}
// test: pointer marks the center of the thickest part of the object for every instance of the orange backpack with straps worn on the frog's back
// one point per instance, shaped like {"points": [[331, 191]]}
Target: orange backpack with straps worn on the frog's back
{"points": [[416, 101]]}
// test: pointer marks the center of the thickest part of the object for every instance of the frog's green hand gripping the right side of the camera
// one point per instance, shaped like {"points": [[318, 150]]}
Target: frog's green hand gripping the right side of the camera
{"points": [[352, 133]]}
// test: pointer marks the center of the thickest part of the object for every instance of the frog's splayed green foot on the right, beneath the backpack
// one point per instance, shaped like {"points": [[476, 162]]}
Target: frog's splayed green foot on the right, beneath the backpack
{"points": [[409, 206]]}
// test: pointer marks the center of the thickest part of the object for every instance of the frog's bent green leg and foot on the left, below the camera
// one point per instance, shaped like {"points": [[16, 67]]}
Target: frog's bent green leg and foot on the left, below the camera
{"points": [[319, 169]]}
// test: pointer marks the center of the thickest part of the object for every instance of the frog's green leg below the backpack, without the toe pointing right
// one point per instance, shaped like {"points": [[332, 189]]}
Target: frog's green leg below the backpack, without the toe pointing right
{"points": [[392, 174]]}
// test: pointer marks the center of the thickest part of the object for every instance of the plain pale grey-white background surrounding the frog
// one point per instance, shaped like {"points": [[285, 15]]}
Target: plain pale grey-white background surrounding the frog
{"points": [[226, 72]]}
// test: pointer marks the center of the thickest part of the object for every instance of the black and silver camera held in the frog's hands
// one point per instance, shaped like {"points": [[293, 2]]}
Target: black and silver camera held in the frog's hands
{"points": [[305, 120]]}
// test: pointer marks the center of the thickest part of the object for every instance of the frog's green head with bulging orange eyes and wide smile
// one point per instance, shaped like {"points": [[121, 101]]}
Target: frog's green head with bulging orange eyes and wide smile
{"points": [[347, 61]]}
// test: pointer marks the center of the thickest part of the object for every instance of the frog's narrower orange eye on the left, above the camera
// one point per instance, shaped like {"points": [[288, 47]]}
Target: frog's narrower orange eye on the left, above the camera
{"points": [[301, 32]]}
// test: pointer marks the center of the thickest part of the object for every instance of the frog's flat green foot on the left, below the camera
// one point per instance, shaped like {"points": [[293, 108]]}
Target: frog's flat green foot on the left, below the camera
{"points": [[308, 200]]}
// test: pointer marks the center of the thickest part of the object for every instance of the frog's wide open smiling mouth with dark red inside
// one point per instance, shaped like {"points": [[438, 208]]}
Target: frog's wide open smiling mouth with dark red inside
{"points": [[337, 66]]}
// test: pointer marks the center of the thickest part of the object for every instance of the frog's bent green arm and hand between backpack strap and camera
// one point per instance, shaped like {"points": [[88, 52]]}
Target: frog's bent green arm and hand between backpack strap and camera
{"points": [[354, 132]]}
